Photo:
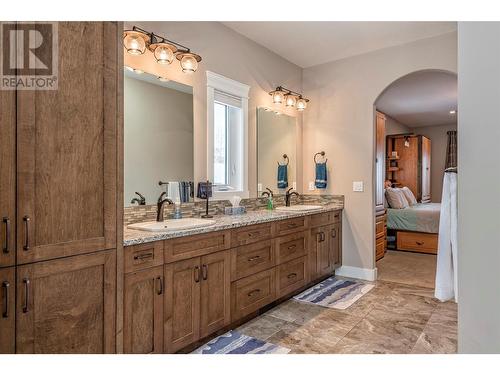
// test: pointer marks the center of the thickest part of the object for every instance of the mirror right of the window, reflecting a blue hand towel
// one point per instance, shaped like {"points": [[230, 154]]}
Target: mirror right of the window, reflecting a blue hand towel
{"points": [[276, 137]]}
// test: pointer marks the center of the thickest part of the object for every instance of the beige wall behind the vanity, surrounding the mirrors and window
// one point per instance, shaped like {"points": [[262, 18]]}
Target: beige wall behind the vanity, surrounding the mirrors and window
{"points": [[232, 55]]}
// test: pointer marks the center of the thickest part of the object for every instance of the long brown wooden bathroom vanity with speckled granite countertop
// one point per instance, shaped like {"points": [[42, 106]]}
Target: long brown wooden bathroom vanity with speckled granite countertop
{"points": [[182, 287]]}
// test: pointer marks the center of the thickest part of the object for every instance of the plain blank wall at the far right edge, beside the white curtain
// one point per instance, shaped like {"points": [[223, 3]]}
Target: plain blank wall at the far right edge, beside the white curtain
{"points": [[478, 187]]}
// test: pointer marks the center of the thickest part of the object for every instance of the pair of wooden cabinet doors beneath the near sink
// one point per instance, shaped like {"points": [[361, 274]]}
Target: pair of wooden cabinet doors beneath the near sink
{"points": [[196, 299]]}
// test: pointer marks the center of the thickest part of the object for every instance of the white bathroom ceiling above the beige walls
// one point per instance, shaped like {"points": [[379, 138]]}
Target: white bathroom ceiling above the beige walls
{"points": [[312, 43]]}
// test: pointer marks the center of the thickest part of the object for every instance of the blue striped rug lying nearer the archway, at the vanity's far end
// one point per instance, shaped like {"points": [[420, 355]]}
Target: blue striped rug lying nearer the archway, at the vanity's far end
{"points": [[335, 293]]}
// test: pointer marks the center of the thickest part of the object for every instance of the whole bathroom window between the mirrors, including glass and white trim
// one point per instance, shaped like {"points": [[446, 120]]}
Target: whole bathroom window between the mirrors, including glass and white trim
{"points": [[227, 102]]}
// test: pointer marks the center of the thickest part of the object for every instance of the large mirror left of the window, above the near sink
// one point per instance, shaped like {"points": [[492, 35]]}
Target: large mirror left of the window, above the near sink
{"points": [[158, 132]]}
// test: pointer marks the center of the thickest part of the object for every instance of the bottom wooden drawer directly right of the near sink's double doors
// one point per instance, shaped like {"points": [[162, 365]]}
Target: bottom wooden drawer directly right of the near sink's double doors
{"points": [[251, 293]]}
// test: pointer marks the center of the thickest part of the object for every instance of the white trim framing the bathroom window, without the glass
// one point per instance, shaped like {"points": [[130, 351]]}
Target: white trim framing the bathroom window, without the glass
{"points": [[218, 82]]}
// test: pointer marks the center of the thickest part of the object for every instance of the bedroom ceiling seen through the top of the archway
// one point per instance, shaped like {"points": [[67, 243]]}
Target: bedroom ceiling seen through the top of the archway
{"points": [[421, 99]]}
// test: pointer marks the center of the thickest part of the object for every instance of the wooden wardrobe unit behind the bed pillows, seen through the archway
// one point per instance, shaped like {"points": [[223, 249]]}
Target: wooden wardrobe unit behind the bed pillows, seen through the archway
{"points": [[412, 165]]}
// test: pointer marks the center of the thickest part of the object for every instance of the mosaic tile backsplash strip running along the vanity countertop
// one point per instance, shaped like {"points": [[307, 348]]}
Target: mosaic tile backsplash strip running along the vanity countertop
{"points": [[135, 214]]}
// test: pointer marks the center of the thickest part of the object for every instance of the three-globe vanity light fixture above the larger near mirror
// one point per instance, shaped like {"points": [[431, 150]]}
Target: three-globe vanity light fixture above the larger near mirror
{"points": [[137, 40]]}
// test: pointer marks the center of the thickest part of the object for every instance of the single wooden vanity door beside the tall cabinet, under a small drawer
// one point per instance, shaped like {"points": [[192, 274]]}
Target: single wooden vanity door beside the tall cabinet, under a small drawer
{"points": [[143, 311]]}
